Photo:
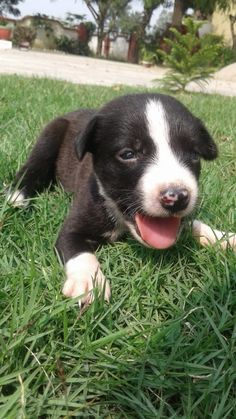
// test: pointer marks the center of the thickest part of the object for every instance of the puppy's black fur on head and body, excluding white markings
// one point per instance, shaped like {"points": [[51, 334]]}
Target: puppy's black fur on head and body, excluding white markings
{"points": [[99, 138]]}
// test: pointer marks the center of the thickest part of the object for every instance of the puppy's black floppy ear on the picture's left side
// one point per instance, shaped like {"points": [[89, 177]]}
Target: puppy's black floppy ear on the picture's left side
{"points": [[85, 140]]}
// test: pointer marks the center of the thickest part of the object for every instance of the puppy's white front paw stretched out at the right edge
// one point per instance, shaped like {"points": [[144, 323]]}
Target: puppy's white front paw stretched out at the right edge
{"points": [[207, 236]]}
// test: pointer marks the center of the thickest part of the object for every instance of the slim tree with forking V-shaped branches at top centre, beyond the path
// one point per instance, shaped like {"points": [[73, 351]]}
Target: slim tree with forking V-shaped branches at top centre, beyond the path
{"points": [[105, 13]]}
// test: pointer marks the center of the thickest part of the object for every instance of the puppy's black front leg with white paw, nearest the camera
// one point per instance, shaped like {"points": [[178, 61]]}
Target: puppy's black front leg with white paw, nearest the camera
{"points": [[82, 233]]}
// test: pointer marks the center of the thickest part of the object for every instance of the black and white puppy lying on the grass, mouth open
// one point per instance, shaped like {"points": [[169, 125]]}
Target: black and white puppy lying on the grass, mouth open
{"points": [[133, 166]]}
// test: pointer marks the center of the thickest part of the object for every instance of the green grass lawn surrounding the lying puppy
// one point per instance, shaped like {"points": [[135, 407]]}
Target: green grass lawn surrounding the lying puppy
{"points": [[165, 347]]}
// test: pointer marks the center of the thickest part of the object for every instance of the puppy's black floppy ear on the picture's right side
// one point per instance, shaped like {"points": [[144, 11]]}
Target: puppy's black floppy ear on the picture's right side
{"points": [[205, 146]]}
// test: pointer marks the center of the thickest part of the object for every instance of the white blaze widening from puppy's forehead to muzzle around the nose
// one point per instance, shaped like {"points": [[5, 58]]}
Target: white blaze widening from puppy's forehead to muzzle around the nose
{"points": [[165, 169]]}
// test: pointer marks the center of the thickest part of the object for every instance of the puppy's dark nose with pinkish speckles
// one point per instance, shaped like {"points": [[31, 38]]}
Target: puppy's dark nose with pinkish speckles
{"points": [[174, 199]]}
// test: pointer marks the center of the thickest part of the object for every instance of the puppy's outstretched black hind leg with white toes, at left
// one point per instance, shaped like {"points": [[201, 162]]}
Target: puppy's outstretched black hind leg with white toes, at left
{"points": [[39, 170]]}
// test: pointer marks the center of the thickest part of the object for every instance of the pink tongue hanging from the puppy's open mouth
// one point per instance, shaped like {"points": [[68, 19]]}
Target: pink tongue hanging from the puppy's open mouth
{"points": [[158, 232]]}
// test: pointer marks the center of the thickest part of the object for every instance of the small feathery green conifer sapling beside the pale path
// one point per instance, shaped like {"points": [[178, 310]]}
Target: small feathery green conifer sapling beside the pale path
{"points": [[190, 57]]}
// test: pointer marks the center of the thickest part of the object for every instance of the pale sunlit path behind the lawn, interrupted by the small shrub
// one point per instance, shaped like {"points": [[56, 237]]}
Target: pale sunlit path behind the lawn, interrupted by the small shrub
{"points": [[84, 70]]}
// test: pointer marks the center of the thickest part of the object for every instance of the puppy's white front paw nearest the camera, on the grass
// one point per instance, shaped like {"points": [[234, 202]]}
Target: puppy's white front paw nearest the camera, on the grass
{"points": [[83, 274]]}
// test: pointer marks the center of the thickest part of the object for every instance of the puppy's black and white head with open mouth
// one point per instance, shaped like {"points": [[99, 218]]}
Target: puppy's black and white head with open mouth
{"points": [[146, 152]]}
